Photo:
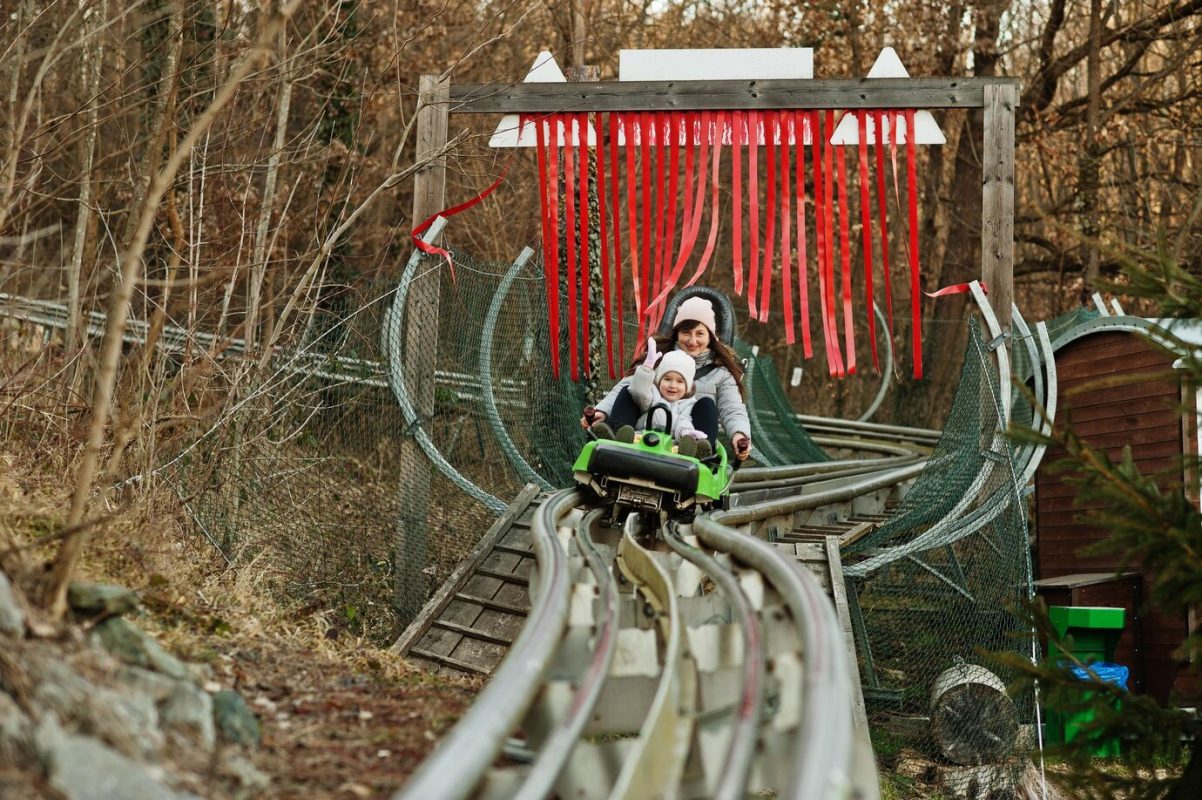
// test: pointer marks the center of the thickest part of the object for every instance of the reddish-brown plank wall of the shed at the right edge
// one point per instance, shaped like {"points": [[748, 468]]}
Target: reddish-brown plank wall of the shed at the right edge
{"points": [[1141, 415]]}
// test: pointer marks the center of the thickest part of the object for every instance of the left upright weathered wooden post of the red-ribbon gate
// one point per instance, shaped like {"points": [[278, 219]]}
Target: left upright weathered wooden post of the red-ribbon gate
{"points": [[420, 355]]}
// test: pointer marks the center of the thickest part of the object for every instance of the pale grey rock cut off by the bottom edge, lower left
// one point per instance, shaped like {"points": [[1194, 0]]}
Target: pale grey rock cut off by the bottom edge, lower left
{"points": [[85, 769]]}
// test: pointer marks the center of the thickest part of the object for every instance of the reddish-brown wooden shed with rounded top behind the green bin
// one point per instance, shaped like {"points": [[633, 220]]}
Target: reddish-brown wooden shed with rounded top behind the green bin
{"points": [[1141, 415]]}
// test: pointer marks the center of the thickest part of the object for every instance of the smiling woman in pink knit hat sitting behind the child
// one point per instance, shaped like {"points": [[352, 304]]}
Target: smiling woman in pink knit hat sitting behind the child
{"points": [[721, 396]]}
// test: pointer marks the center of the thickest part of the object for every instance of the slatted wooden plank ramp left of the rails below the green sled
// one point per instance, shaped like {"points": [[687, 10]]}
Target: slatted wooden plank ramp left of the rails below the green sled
{"points": [[469, 624]]}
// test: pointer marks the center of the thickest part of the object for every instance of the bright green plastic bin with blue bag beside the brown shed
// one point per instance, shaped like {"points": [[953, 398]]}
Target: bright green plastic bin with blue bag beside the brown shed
{"points": [[1096, 632]]}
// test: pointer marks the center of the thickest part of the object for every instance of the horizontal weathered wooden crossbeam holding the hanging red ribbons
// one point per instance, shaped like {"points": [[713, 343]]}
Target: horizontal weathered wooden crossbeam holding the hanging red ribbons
{"points": [[699, 95]]}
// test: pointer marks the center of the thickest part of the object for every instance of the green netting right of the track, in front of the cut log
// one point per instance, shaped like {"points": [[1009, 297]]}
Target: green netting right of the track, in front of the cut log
{"points": [[941, 587]]}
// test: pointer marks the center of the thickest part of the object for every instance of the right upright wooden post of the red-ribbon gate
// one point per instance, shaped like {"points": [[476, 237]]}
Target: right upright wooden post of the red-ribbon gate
{"points": [[998, 200]]}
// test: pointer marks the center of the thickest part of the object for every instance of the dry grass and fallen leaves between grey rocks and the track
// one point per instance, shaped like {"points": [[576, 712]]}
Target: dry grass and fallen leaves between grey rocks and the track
{"points": [[341, 717]]}
